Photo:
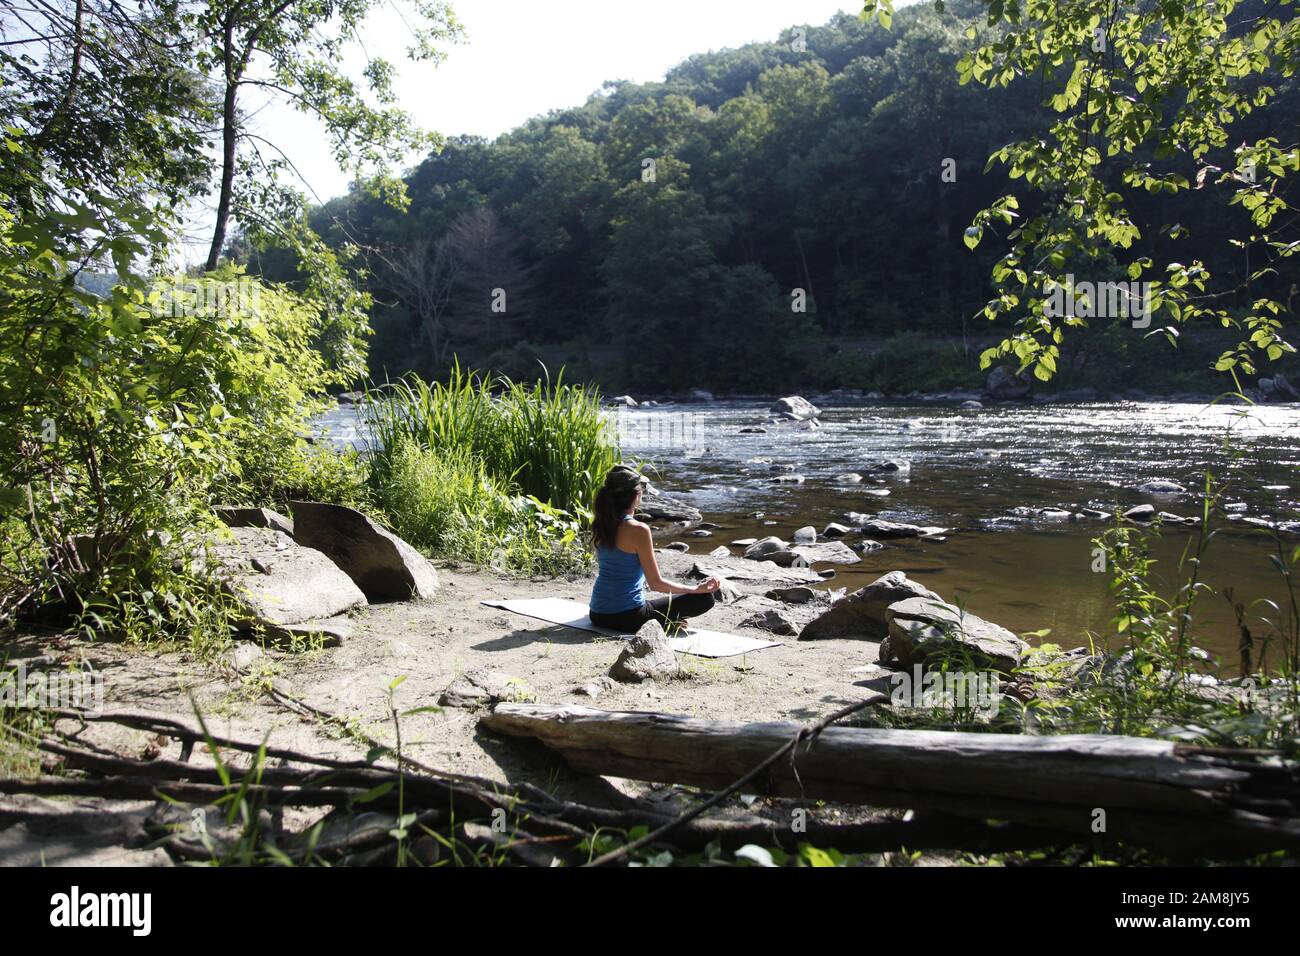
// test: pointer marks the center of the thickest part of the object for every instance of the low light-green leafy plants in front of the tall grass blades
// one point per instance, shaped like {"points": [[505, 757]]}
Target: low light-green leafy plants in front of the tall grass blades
{"points": [[448, 503]]}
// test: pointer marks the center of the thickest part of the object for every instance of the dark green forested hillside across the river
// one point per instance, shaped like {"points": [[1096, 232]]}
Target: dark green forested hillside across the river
{"points": [[788, 214]]}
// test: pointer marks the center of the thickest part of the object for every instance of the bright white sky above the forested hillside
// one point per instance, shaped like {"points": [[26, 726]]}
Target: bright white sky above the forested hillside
{"points": [[525, 59]]}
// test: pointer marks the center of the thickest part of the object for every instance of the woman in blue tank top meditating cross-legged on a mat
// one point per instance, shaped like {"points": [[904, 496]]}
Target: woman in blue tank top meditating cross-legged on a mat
{"points": [[627, 565]]}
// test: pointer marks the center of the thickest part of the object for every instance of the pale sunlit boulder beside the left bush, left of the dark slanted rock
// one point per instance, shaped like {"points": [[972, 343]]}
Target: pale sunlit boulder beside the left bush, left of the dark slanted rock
{"points": [[280, 583]]}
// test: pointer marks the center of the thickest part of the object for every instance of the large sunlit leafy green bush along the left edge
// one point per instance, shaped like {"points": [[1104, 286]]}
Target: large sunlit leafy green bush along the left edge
{"points": [[131, 409]]}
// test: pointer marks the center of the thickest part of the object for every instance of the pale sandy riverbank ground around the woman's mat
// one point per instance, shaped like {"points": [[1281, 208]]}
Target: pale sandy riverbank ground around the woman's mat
{"points": [[431, 644]]}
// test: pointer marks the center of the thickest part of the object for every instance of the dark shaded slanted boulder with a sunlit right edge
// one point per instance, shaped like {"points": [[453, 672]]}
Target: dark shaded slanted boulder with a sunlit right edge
{"points": [[383, 565]]}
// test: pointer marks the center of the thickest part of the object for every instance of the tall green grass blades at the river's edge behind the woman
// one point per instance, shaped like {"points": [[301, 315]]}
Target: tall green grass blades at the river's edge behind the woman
{"points": [[548, 440]]}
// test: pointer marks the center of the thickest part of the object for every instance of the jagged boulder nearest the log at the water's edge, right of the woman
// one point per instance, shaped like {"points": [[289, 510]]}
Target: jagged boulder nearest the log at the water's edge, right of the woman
{"points": [[924, 630]]}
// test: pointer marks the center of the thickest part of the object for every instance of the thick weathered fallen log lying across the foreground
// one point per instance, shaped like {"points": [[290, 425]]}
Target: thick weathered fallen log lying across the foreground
{"points": [[1143, 791]]}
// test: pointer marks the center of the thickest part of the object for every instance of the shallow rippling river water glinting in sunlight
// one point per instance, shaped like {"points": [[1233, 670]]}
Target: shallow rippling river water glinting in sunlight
{"points": [[978, 473]]}
